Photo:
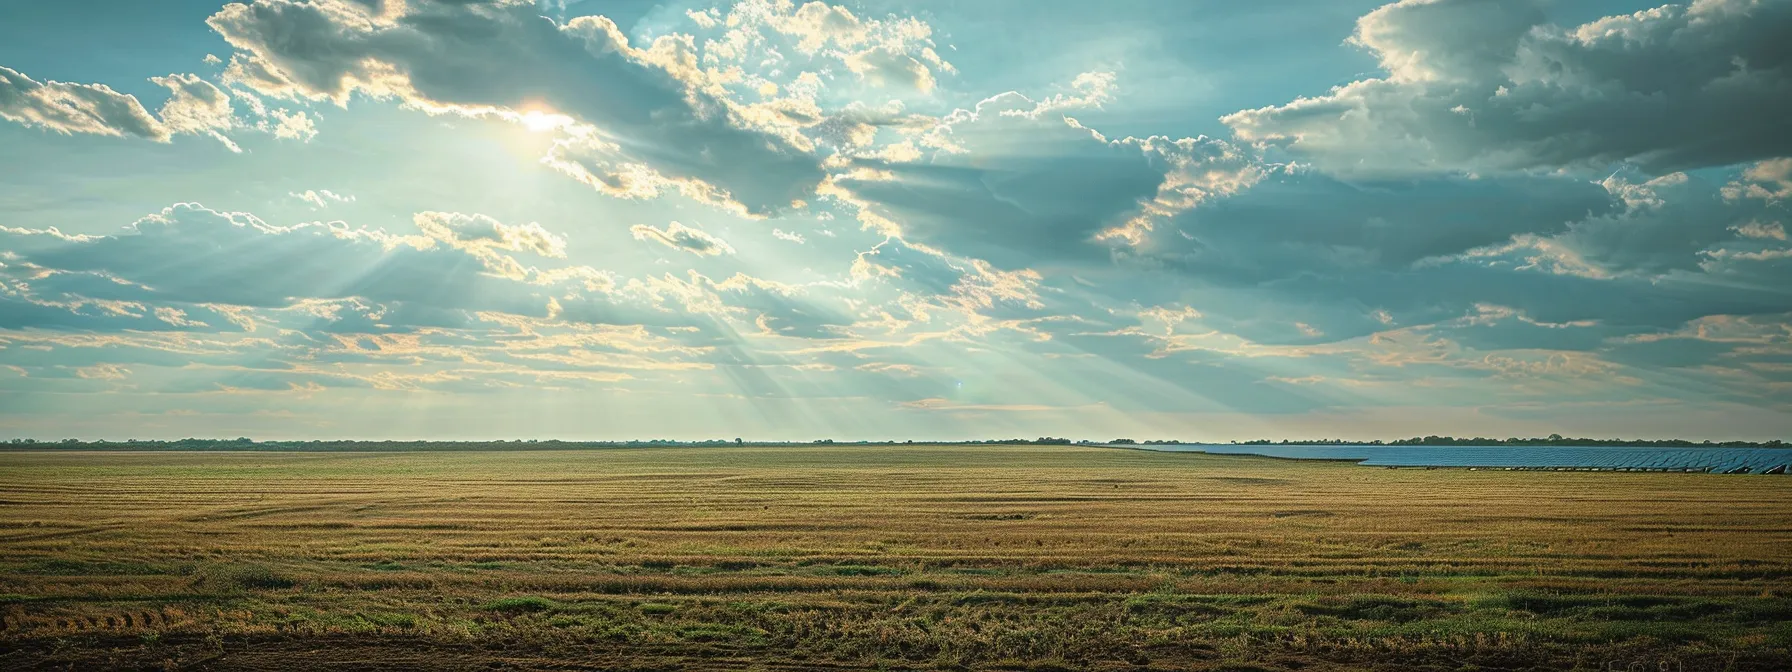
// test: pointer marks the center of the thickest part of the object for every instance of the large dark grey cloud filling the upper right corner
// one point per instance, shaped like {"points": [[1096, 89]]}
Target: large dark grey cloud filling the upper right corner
{"points": [[1481, 85]]}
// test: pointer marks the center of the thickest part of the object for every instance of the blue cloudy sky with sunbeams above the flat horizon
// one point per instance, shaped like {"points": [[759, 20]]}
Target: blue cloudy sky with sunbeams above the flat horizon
{"points": [[877, 220]]}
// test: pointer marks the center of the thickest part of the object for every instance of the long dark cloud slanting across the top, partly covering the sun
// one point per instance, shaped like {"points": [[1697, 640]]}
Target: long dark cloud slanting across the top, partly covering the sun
{"points": [[648, 110]]}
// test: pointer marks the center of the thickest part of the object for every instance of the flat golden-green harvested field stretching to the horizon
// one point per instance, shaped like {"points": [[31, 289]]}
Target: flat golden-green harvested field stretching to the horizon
{"points": [[936, 558]]}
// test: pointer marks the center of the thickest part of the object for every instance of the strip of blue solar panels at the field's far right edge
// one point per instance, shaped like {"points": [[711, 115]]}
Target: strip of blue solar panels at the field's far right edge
{"points": [[1526, 458]]}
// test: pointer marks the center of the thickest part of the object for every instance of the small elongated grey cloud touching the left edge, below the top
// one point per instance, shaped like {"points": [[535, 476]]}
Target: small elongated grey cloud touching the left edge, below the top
{"points": [[76, 108]]}
